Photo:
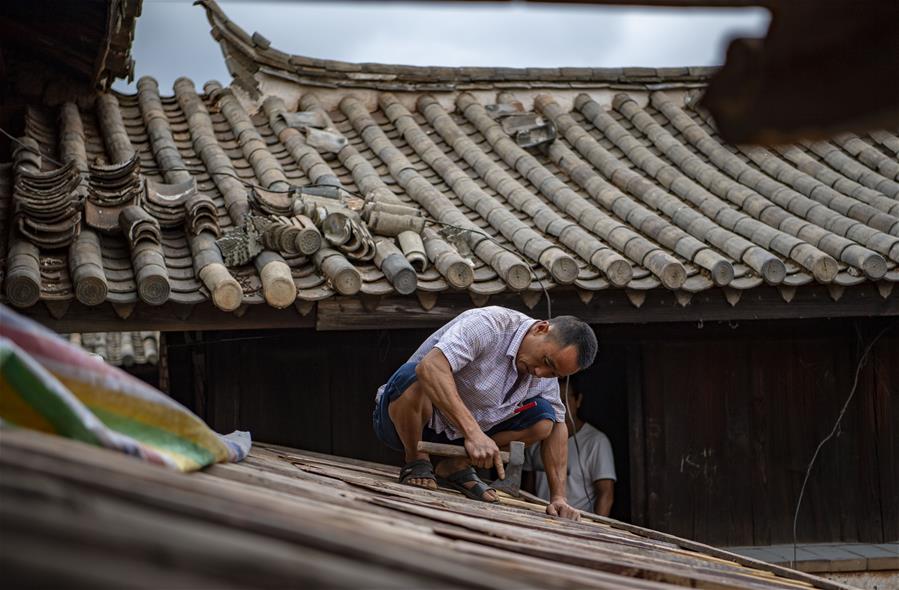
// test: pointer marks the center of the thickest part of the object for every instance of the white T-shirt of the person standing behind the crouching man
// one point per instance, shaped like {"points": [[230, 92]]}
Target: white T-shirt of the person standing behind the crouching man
{"points": [[594, 463]]}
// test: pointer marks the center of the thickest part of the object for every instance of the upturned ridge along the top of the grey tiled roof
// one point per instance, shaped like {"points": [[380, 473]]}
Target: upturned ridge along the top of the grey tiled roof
{"points": [[247, 55]]}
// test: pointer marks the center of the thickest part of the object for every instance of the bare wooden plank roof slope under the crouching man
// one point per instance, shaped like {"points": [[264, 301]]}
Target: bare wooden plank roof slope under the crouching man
{"points": [[289, 518]]}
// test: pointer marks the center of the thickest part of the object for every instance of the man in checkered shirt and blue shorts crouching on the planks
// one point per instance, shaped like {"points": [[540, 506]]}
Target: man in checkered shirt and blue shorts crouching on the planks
{"points": [[490, 377]]}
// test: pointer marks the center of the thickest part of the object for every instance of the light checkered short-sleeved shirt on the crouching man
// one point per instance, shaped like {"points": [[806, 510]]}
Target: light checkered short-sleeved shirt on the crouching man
{"points": [[481, 346]]}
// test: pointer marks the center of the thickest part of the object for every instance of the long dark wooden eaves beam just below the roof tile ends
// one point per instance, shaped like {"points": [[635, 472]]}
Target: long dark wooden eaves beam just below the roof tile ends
{"points": [[611, 306]]}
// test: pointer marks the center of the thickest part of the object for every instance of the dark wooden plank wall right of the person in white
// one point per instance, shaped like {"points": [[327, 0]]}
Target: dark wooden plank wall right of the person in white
{"points": [[731, 416]]}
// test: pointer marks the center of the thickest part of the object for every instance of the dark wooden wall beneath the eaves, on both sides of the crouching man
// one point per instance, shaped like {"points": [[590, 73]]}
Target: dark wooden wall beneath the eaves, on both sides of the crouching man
{"points": [[712, 425]]}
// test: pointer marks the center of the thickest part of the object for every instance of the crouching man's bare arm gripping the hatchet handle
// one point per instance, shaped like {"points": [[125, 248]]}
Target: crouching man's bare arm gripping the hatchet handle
{"points": [[436, 377]]}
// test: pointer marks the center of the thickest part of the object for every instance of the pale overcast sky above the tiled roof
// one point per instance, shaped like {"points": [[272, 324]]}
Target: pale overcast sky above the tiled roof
{"points": [[173, 40]]}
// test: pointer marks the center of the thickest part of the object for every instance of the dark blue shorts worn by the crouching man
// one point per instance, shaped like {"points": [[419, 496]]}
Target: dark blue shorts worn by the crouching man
{"points": [[405, 377]]}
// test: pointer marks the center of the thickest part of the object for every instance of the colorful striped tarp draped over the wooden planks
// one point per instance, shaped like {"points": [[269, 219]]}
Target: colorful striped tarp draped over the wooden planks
{"points": [[50, 385]]}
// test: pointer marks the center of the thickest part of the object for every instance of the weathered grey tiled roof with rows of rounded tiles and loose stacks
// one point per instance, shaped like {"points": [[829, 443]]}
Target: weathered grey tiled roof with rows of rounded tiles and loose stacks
{"points": [[618, 186]]}
